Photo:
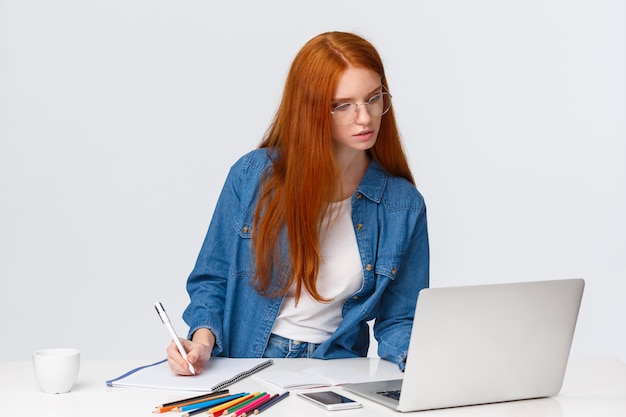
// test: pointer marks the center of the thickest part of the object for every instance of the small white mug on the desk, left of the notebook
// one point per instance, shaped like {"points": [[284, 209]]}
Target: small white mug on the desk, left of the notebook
{"points": [[56, 369]]}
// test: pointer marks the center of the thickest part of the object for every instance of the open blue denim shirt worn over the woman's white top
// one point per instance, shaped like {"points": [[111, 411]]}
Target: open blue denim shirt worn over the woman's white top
{"points": [[389, 218]]}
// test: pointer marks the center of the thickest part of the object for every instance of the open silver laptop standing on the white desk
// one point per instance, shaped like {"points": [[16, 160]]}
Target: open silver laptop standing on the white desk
{"points": [[484, 344]]}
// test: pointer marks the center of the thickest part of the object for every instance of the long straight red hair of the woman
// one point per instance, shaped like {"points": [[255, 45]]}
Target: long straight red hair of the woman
{"points": [[303, 180]]}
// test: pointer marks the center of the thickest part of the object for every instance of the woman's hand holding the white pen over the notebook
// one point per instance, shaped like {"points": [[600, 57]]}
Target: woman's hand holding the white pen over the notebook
{"points": [[198, 352]]}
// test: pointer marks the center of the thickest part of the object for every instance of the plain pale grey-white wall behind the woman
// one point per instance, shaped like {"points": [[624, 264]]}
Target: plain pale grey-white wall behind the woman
{"points": [[120, 118]]}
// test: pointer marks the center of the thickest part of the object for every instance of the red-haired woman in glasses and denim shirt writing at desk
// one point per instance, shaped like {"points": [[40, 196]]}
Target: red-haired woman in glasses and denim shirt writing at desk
{"points": [[317, 231]]}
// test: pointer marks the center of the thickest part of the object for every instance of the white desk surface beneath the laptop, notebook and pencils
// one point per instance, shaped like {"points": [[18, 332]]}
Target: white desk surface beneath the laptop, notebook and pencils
{"points": [[592, 387]]}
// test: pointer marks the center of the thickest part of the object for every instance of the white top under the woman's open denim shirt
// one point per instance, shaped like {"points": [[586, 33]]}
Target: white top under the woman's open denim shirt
{"points": [[340, 275]]}
